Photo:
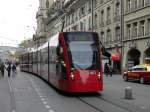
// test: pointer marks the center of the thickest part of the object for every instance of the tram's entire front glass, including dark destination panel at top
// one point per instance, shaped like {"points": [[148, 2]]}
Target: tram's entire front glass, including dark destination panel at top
{"points": [[83, 50]]}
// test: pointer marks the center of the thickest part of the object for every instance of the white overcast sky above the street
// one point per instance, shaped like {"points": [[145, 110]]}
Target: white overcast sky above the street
{"points": [[17, 20]]}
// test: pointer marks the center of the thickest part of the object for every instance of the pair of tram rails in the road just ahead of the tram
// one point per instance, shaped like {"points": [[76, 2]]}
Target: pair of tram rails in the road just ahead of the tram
{"points": [[100, 103]]}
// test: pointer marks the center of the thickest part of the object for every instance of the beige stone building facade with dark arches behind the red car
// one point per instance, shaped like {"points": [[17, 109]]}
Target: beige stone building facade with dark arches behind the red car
{"points": [[136, 41]]}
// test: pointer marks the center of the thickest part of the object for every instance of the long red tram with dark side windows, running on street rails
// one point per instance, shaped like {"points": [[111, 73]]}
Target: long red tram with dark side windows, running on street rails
{"points": [[70, 61]]}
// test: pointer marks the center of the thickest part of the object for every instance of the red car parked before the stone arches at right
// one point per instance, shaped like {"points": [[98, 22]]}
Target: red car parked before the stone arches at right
{"points": [[137, 72]]}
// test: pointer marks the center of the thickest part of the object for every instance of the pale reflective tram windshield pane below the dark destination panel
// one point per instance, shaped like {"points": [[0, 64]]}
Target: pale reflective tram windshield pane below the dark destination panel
{"points": [[83, 55]]}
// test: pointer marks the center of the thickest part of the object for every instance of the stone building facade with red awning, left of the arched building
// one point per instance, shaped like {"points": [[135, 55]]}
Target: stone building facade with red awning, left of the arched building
{"points": [[107, 22]]}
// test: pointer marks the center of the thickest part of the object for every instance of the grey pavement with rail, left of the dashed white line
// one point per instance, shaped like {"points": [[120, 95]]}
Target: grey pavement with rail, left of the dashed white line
{"points": [[17, 94]]}
